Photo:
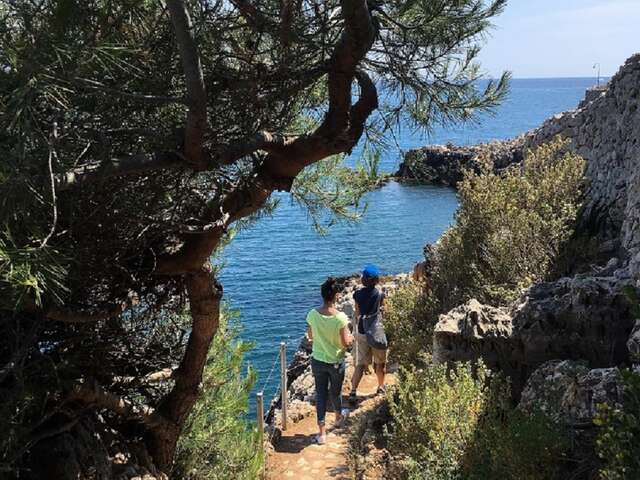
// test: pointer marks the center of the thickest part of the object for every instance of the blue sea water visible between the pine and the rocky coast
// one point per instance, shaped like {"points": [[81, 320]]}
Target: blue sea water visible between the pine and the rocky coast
{"points": [[273, 270]]}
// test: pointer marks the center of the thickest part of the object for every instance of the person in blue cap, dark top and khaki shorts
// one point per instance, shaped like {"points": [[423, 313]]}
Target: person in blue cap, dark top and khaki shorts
{"points": [[369, 301]]}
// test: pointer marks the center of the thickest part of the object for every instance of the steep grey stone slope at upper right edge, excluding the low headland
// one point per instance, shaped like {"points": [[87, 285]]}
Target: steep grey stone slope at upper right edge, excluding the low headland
{"points": [[606, 132]]}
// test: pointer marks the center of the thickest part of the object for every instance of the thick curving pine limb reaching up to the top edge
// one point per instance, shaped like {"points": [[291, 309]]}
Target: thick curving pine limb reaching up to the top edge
{"points": [[339, 132]]}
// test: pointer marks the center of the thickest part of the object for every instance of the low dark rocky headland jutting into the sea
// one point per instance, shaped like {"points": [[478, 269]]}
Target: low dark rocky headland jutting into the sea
{"points": [[446, 164]]}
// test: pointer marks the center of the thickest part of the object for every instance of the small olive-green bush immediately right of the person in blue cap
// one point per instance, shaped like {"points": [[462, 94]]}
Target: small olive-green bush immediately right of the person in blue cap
{"points": [[408, 320]]}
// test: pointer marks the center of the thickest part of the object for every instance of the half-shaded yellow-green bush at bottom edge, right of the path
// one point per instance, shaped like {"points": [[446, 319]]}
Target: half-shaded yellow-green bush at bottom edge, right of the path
{"points": [[459, 424]]}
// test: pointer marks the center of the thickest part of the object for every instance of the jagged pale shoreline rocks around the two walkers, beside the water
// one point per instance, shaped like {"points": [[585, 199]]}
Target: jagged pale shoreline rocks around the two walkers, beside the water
{"points": [[301, 388]]}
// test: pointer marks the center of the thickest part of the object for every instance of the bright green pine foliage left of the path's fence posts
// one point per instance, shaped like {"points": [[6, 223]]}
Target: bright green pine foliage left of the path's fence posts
{"points": [[217, 444]]}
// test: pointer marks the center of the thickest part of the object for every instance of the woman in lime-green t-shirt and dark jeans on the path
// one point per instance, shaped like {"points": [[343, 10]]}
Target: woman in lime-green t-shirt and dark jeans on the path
{"points": [[329, 332]]}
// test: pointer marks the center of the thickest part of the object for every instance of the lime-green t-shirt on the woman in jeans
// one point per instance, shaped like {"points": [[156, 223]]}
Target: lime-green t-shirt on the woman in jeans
{"points": [[327, 346]]}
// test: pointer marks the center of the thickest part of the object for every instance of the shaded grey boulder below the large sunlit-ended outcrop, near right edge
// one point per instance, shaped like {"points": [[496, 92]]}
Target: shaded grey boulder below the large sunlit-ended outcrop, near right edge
{"points": [[569, 392]]}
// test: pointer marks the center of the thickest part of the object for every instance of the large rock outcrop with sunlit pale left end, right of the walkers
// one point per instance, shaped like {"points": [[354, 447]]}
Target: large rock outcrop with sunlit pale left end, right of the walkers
{"points": [[581, 317]]}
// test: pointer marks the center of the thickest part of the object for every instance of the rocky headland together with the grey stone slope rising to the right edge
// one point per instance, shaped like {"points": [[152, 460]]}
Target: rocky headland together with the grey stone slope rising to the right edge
{"points": [[604, 129]]}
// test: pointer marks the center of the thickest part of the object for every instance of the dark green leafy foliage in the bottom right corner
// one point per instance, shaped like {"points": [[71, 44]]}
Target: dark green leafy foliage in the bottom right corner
{"points": [[618, 442]]}
